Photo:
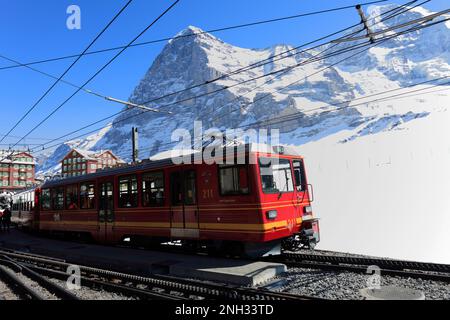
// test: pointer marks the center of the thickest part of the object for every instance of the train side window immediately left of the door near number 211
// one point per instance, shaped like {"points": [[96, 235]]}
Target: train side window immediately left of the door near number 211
{"points": [[153, 189]]}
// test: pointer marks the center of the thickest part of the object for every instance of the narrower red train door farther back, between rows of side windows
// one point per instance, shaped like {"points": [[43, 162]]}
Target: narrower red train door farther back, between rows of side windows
{"points": [[106, 211]]}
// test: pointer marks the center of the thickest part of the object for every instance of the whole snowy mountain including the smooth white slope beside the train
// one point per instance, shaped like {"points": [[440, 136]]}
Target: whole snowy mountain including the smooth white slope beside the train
{"points": [[375, 161]]}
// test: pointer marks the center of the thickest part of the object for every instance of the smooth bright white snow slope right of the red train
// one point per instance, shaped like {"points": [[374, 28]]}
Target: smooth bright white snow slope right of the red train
{"points": [[386, 194]]}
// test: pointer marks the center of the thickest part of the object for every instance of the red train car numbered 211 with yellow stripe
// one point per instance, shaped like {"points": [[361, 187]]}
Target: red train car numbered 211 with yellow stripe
{"points": [[253, 208]]}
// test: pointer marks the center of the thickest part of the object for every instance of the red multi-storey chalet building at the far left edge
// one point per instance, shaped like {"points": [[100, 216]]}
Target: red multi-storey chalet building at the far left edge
{"points": [[17, 170]]}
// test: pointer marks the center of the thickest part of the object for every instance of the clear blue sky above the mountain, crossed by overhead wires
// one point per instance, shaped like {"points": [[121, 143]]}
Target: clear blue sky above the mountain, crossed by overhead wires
{"points": [[34, 30]]}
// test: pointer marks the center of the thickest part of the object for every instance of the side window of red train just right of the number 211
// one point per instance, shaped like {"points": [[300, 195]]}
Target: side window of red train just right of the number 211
{"points": [[233, 180]]}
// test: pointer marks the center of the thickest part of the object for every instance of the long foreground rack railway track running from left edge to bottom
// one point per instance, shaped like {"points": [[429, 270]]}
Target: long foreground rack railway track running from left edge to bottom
{"points": [[159, 287]]}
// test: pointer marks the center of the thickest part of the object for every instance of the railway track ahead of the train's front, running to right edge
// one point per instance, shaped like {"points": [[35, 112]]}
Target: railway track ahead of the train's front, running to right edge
{"points": [[401, 268]]}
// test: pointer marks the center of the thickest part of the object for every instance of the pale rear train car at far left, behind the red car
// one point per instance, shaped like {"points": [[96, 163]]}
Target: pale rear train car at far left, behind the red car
{"points": [[23, 207]]}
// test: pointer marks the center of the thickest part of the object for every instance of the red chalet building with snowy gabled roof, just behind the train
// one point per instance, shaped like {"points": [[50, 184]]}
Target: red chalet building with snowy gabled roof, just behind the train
{"points": [[80, 162]]}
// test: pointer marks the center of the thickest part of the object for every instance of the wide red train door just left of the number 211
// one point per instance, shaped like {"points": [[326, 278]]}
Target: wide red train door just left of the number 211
{"points": [[184, 217]]}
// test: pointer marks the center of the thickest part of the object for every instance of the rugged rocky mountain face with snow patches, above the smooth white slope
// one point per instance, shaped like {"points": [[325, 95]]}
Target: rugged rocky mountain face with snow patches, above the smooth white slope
{"points": [[319, 93]]}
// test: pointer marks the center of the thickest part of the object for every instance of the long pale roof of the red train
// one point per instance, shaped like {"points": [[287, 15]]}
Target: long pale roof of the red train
{"points": [[165, 159]]}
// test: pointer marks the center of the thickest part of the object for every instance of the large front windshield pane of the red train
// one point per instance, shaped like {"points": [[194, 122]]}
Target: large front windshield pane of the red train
{"points": [[276, 175]]}
